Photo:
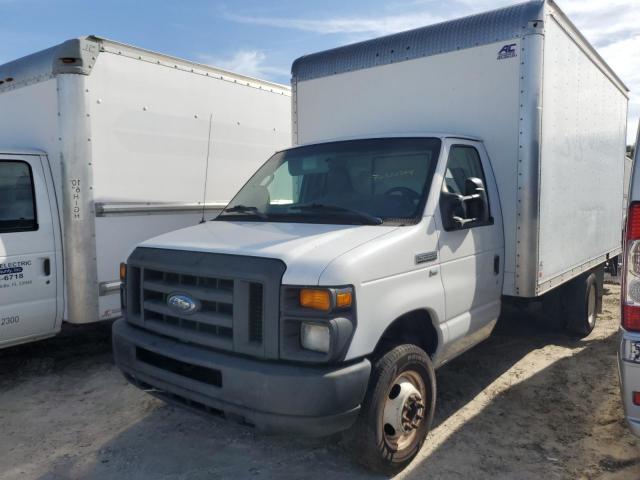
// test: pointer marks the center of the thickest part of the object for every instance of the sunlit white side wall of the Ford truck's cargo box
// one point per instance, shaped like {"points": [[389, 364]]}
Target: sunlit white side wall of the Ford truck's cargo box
{"points": [[582, 162]]}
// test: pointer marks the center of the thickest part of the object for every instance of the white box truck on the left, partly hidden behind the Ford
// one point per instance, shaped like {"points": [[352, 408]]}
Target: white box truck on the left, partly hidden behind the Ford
{"points": [[103, 145]]}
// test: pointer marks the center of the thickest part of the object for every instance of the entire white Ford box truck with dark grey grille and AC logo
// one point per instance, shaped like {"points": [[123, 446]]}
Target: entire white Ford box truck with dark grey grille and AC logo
{"points": [[352, 265]]}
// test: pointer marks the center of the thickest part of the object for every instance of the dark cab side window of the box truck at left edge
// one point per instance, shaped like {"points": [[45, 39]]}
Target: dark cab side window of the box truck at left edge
{"points": [[17, 197]]}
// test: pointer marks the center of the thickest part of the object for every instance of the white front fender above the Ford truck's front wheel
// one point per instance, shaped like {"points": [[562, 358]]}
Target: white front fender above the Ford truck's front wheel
{"points": [[393, 274]]}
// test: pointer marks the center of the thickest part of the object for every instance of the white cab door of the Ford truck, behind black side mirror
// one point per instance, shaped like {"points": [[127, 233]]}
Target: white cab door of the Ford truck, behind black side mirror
{"points": [[471, 257]]}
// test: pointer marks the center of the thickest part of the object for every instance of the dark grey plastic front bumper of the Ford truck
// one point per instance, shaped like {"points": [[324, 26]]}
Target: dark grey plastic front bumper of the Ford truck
{"points": [[272, 396]]}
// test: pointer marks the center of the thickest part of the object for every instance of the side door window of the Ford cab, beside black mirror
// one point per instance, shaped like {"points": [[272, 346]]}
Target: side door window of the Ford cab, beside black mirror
{"points": [[464, 202]]}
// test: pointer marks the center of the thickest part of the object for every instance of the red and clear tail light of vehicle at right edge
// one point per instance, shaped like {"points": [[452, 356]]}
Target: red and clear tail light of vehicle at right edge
{"points": [[630, 294]]}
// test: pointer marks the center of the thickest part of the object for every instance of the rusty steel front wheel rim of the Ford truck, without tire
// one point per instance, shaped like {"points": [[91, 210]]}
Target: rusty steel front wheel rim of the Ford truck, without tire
{"points": [[404, 410]]}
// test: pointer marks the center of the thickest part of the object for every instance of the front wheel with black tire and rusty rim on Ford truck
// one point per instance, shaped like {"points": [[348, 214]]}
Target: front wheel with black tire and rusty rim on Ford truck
{"points": [[397, 410]]}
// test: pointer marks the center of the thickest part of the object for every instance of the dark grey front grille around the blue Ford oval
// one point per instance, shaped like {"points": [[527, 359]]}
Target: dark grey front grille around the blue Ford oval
{"points": [[237, 297]]}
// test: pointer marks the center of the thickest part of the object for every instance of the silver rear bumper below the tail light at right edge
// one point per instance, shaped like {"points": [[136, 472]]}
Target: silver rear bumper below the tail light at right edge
{"points": [[629, 381]]}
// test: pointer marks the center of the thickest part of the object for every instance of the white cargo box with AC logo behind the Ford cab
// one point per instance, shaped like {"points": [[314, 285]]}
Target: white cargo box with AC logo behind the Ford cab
{"points": [[551, 113]]}
